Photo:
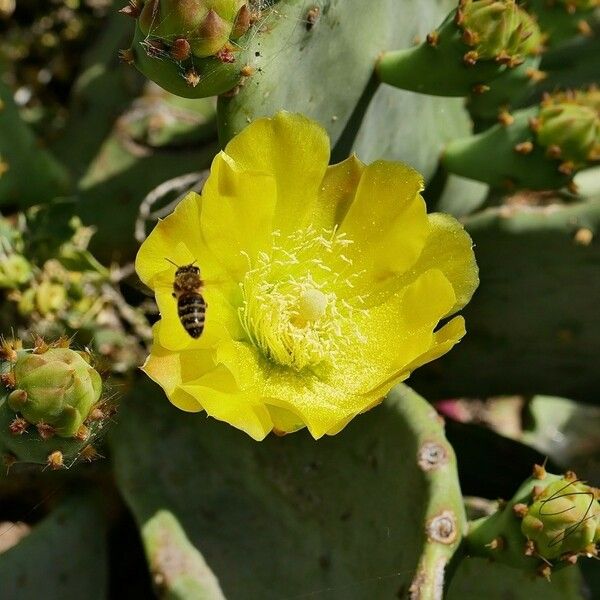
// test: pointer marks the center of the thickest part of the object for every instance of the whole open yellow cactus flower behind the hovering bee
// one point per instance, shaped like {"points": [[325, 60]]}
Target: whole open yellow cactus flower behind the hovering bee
{"points": [[324, 285]]}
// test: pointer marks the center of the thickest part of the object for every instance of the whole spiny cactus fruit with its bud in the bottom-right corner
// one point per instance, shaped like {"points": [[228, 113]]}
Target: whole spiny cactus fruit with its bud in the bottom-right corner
{"points": [[550, 521]]}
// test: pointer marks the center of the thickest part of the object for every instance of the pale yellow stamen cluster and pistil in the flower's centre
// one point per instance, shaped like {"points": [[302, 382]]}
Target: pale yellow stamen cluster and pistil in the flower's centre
{"points": [[292, 307]]}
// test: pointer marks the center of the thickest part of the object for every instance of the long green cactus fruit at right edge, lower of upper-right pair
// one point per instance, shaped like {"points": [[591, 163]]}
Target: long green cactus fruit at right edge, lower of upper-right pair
{"points": [[537, 148]]}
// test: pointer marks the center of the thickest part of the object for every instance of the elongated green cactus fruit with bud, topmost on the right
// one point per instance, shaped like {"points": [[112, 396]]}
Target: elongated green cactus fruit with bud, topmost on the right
{"points": [[477, 43]]}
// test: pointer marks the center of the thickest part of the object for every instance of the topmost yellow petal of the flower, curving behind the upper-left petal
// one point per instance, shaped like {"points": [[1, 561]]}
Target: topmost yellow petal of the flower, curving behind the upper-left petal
{"points": [[295, 151]]}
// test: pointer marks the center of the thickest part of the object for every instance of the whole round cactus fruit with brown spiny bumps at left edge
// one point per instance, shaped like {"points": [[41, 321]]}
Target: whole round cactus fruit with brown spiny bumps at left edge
{"points": [[51, 405]]}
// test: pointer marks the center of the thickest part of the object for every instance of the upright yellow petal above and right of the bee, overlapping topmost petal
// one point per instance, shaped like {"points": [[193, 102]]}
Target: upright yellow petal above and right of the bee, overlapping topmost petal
{"points": [[238, 208]]}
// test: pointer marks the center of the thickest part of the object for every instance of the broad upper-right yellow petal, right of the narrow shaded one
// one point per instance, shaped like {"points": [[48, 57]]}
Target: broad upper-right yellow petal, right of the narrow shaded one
{"points": [[387, 222]]}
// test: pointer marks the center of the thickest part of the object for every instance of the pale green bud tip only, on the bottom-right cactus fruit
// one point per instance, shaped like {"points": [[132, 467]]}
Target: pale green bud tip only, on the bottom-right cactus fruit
{"points": [[563, 519]]}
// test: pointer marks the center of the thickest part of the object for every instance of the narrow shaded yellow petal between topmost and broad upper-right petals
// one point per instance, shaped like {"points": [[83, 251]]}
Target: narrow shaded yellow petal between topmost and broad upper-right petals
{"points": [[337, 192]]}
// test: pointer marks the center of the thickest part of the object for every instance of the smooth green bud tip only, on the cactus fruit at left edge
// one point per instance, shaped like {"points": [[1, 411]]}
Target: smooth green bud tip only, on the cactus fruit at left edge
{"points": [[57, 388]]}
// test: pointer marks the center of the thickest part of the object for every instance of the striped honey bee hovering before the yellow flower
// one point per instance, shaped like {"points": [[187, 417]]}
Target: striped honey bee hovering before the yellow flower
{"points": [[191, 306]]}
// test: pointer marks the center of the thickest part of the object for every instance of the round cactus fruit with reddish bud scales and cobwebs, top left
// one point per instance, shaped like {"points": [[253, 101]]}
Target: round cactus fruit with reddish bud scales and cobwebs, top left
{"points": [[192, 48]]}
